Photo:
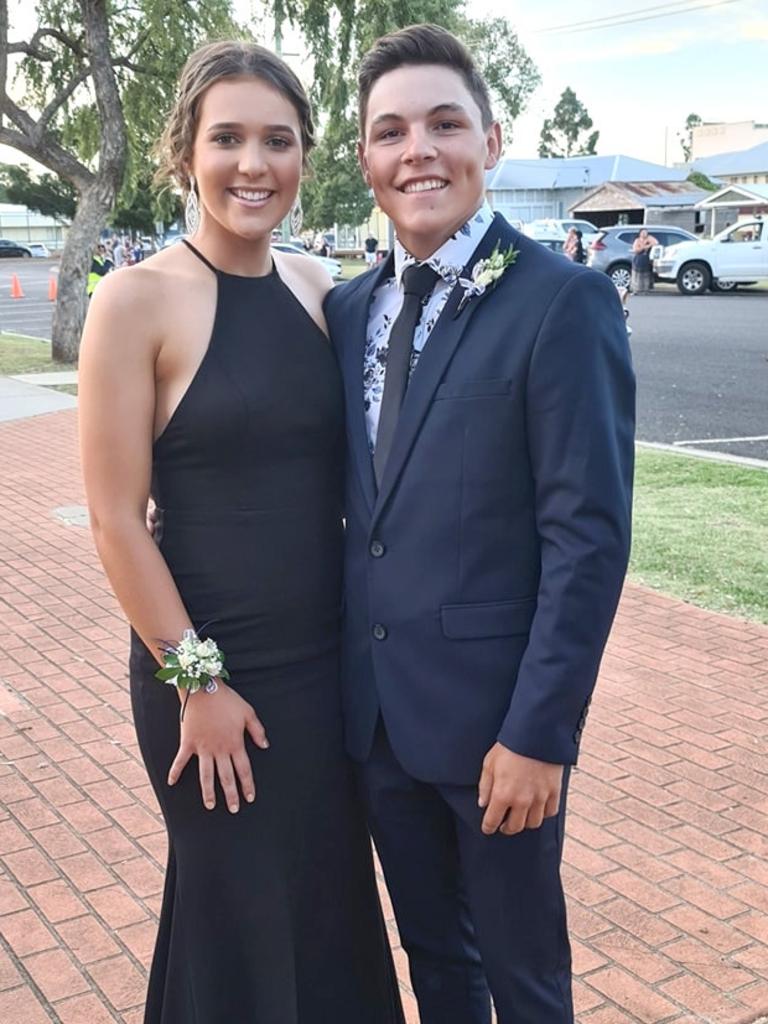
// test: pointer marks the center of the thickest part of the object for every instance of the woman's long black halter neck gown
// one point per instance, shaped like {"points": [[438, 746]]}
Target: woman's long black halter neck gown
{"points": [[270, 916]]}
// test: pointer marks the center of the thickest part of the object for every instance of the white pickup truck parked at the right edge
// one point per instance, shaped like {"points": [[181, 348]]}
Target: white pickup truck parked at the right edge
{"points": [[739, 255]]}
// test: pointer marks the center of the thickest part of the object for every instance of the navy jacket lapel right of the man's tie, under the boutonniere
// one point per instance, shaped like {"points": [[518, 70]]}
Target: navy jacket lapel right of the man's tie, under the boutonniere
{"points": [[435, 361]]}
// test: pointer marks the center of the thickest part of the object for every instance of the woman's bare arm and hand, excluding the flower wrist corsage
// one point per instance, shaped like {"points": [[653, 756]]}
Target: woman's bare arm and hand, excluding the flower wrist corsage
{"points": [[117, 415]]}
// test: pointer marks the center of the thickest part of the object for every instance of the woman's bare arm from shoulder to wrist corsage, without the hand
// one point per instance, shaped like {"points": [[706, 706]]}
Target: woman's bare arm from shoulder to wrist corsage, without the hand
{"points": [[117, 414]]}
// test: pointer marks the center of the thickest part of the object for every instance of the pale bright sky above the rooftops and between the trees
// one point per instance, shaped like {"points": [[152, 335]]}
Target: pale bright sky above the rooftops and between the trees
{"points": [[639, 80]]}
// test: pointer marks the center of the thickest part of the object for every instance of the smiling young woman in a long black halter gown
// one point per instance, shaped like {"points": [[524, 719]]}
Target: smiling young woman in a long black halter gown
{"points": [[207, 381]]}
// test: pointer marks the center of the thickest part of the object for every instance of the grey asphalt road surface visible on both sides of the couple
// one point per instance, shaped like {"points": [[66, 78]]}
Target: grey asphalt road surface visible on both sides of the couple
{"points": [[702, 362]]}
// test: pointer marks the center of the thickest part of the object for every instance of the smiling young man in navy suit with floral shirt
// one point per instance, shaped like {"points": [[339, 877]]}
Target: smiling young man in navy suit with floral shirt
{"points": [[491, 417]]}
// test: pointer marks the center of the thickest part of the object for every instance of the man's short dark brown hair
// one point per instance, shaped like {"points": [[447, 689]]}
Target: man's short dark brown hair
{"points": [[421, 45]]}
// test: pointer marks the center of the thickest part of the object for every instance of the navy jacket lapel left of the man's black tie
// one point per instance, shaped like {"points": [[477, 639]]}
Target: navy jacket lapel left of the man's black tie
{"points": [[354, 359]]}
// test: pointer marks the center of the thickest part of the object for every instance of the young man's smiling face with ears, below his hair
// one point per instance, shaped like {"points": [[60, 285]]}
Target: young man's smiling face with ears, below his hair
{"points": [[425, 153]]}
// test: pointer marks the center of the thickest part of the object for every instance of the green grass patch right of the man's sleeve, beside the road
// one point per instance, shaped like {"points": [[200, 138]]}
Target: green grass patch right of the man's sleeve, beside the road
{"points": [[701, 532]]}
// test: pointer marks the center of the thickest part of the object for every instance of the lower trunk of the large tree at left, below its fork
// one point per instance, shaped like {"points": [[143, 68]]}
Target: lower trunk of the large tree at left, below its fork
{"points": [[73, 277]]}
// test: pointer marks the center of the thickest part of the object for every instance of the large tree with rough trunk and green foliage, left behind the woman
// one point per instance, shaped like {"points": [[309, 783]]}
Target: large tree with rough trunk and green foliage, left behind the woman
{"points": [[100, 77]]}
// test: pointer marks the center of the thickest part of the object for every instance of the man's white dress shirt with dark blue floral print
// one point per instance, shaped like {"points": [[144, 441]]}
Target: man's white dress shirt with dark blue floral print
{"points": [[448, 262]]}
